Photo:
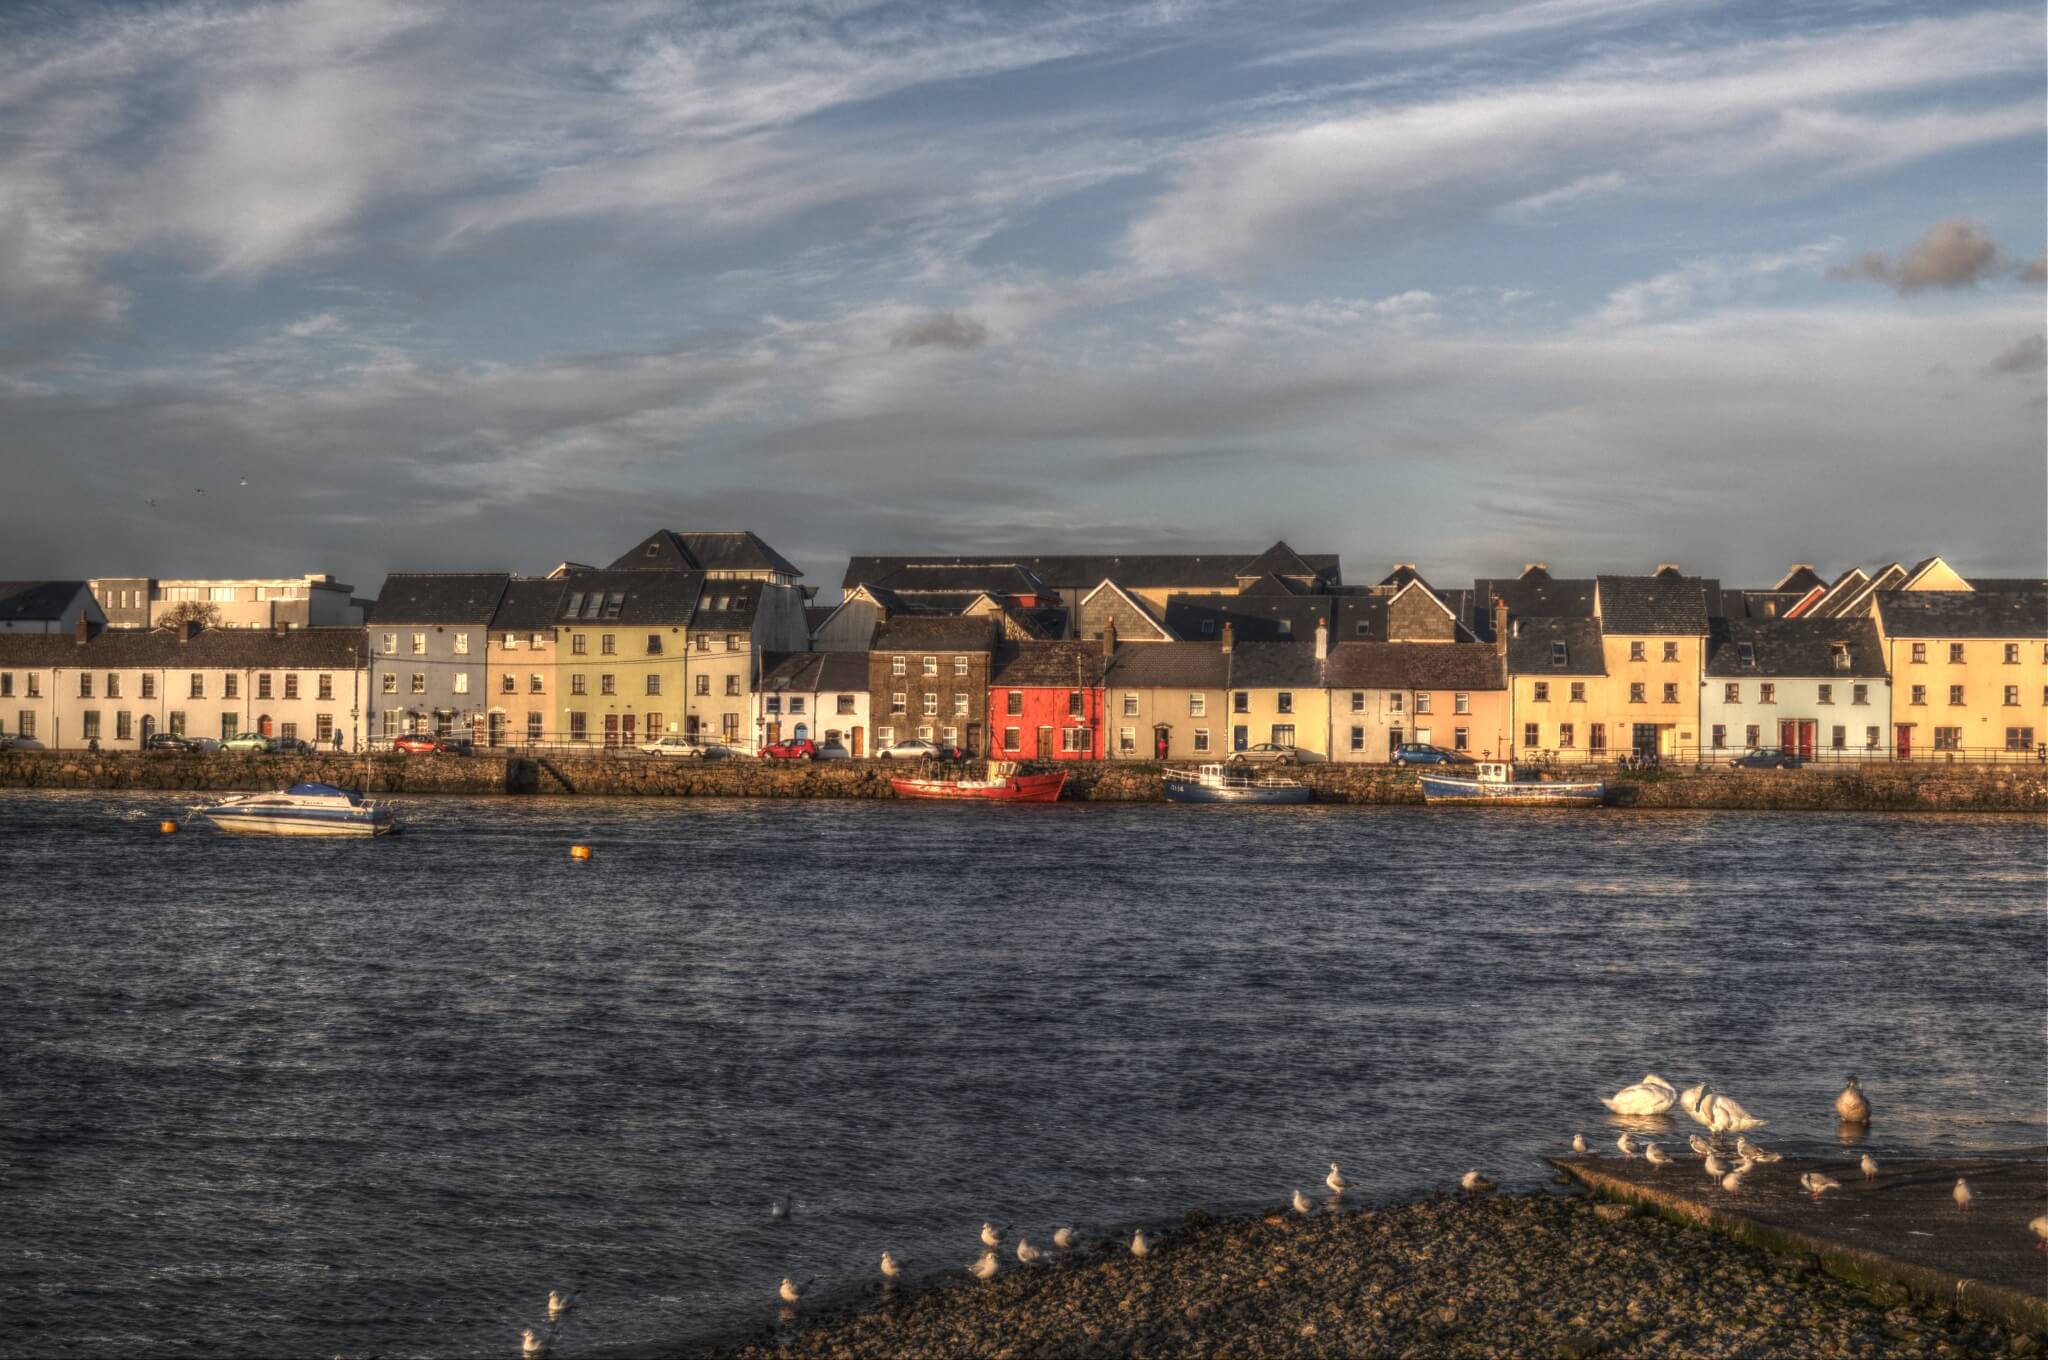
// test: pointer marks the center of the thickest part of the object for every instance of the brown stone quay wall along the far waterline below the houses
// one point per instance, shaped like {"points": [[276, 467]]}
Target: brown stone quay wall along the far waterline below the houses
{"points": [[1863, 790]]}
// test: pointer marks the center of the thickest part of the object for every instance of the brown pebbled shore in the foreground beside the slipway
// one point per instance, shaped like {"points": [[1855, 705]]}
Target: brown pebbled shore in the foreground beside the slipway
{"points": [[1494, 1277]]}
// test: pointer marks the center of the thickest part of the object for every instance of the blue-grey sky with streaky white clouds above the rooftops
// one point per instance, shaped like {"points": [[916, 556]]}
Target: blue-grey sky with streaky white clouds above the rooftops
{"points": [[370, 286]]}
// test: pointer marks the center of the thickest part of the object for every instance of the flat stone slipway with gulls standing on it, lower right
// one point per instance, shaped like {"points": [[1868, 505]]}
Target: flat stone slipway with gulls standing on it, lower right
{"points": [[1895, 1234]]}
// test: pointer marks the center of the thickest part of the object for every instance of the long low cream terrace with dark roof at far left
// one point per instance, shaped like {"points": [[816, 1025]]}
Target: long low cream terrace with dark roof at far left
{"points": [[120, 687]]}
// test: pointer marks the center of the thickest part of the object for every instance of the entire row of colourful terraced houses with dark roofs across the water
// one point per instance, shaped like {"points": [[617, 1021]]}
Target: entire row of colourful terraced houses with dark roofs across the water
{"points": [[1148, 656]]}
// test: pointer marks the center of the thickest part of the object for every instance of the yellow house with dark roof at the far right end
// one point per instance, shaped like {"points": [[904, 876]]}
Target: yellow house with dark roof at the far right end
{"points": [[1969, 673]]}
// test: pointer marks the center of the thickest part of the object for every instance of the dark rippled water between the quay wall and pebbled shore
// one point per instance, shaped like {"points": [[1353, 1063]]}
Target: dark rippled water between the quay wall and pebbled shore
{"points": [[376, 1099]]}
